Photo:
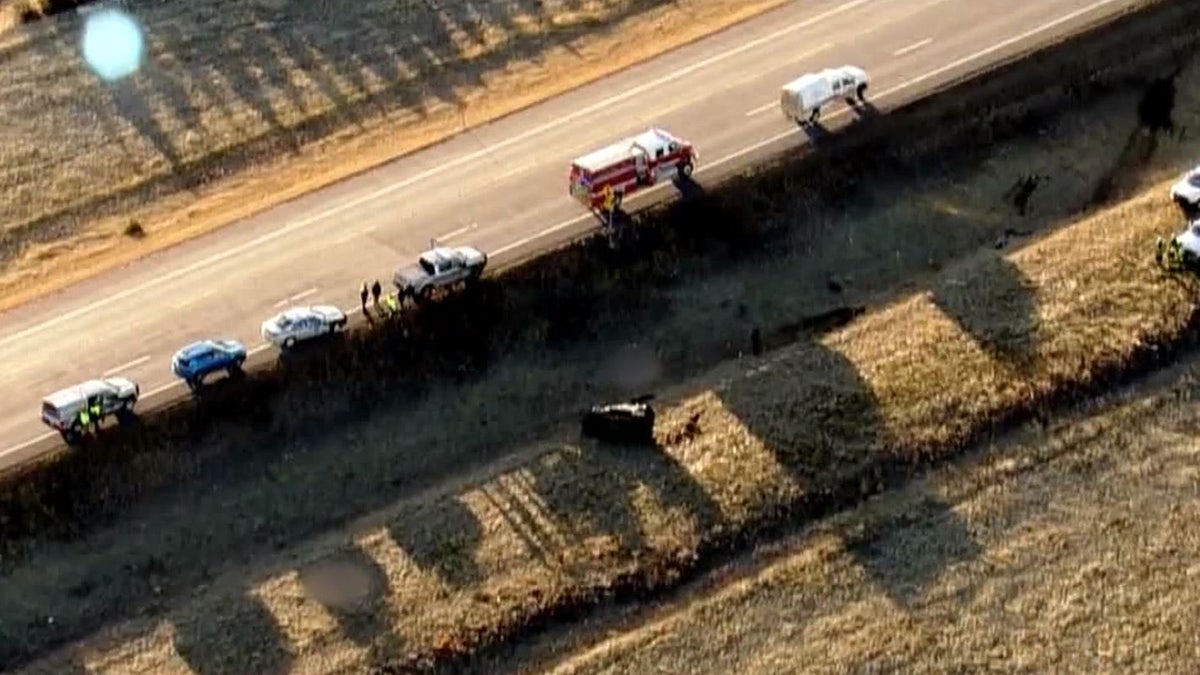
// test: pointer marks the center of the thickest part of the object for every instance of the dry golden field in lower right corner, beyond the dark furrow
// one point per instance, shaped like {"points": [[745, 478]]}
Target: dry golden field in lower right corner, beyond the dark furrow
{"points": [[1064, 549]]}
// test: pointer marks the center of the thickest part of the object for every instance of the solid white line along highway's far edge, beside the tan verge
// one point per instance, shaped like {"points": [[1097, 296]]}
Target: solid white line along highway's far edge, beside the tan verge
{"points": [[429, 174]]}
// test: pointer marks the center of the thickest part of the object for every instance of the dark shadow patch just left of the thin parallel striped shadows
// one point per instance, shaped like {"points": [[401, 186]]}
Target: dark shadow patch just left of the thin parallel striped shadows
{"points": [[442, 539]]}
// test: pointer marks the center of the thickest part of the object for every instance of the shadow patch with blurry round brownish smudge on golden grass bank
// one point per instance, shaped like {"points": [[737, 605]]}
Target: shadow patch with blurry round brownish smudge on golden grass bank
{"points": [[353, 589]]}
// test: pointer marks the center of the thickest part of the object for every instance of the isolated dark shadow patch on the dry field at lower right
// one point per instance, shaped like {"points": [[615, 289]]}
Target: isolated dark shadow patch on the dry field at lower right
{"points": [[907, 558]]}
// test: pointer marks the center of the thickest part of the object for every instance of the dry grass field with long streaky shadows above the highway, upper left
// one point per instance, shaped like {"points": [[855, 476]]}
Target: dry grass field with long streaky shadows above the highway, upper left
{"points": [[243, 105]]}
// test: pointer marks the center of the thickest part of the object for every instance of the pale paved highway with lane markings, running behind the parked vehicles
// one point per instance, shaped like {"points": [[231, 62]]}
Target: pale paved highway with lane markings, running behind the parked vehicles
{"points": [[501, 188]]}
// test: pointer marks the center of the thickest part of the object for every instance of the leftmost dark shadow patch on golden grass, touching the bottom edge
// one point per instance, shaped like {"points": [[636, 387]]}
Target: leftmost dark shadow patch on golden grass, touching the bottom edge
{"points": [[250, 642]]}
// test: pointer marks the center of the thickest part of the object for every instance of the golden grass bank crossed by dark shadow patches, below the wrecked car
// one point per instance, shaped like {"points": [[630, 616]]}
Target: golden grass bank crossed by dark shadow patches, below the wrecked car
{"points": [[783, 435]]}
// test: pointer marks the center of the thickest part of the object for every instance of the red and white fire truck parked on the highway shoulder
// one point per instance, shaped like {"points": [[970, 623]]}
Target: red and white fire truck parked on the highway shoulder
{"points": [[601, 180]]}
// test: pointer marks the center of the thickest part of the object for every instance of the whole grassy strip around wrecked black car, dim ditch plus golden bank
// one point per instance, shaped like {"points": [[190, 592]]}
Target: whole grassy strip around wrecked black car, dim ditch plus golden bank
{"points": [[561, 525]]}
